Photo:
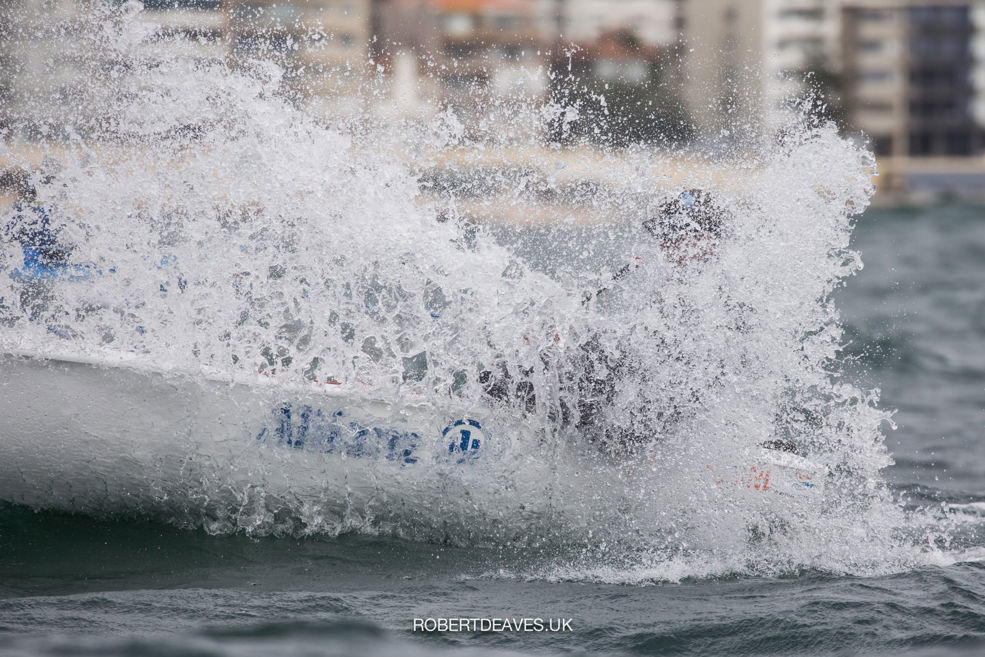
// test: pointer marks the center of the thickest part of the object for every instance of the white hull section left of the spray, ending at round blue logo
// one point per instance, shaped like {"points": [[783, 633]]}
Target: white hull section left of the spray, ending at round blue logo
{"points": [[77, 433]]}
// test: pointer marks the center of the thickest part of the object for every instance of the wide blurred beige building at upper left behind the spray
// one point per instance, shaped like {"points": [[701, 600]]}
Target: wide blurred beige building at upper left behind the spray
{"points": [[48, 52]]}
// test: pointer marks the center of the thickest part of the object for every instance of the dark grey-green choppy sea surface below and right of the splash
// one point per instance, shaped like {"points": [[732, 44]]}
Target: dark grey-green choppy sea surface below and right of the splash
{"points": [[77, 584]]}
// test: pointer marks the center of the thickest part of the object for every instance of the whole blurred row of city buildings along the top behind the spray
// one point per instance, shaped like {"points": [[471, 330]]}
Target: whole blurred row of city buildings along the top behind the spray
{"points": [[909, 75]]}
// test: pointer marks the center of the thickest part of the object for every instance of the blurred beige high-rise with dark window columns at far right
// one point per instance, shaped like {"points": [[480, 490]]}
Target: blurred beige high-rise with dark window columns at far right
{"points": [[915, 75]]}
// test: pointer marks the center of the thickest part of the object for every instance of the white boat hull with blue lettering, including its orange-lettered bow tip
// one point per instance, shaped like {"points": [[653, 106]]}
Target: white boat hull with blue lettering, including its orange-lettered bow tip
{"points": [[126, 437]]}
